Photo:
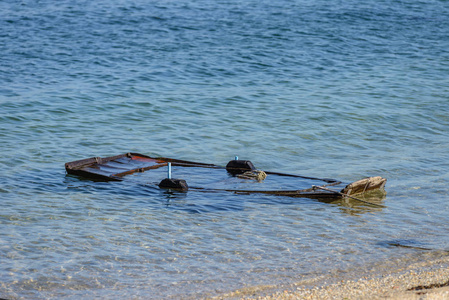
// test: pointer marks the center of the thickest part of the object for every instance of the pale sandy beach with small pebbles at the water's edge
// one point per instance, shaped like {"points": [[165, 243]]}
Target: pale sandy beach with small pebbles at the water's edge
{"points": [[425, 280]]}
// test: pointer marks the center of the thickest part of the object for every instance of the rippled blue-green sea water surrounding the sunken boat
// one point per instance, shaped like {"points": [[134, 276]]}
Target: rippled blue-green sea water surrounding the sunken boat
{"points": [[337, 89]]}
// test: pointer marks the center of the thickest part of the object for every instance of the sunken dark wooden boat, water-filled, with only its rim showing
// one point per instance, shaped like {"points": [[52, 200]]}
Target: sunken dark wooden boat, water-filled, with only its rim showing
{"points": [[238, 176]]}
